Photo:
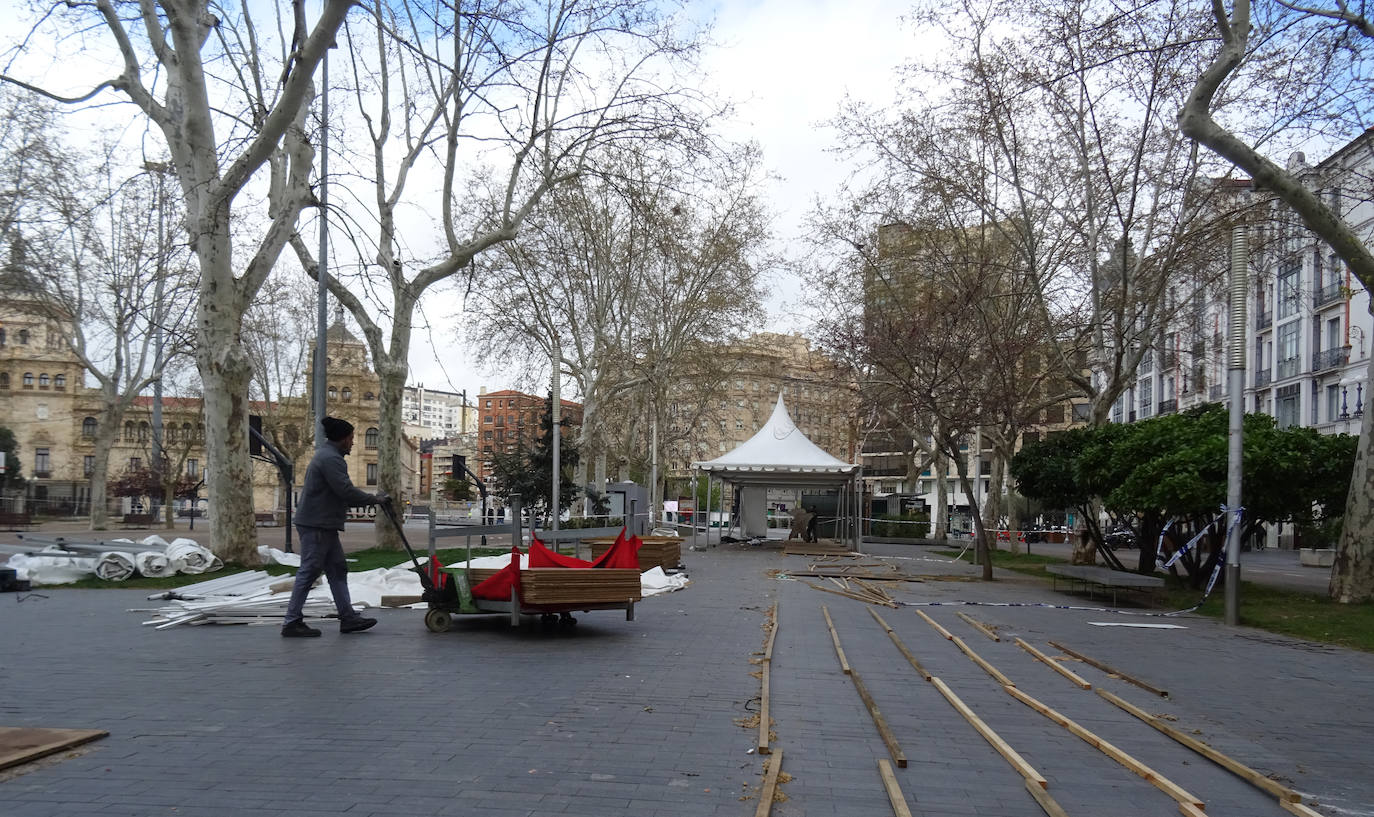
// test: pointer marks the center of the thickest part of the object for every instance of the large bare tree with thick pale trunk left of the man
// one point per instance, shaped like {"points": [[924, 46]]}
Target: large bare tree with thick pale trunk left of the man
{"points": [[232, 113]]}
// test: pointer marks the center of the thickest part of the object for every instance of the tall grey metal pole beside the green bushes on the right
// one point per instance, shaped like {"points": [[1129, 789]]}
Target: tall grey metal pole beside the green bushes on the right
{"points": [[1236, 374]]}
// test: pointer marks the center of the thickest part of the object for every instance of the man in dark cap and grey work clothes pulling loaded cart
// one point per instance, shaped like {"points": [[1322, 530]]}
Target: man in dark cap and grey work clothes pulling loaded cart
{"points": [[326, 498]]}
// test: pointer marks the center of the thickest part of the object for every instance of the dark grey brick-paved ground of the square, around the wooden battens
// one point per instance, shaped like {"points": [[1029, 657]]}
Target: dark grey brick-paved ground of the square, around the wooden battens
{"points": [[640, 719]]}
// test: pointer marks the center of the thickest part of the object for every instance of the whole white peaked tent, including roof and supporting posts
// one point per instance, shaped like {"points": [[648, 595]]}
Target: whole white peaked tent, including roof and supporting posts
{"points": [[781, 457]]}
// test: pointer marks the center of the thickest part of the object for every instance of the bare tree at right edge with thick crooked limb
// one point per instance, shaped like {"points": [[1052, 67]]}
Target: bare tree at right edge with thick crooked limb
{"points": [[1336, 94]]}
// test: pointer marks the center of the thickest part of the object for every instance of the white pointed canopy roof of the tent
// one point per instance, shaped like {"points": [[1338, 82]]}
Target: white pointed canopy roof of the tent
{"points": [[780, 455]]}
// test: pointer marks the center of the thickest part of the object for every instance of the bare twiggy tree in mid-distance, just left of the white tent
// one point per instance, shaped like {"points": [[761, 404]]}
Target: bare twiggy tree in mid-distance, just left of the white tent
{"points": [[640, 277]]}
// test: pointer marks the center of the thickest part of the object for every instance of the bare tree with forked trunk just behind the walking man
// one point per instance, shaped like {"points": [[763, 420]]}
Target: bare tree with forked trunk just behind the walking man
{"points": [[504, 104]]}
